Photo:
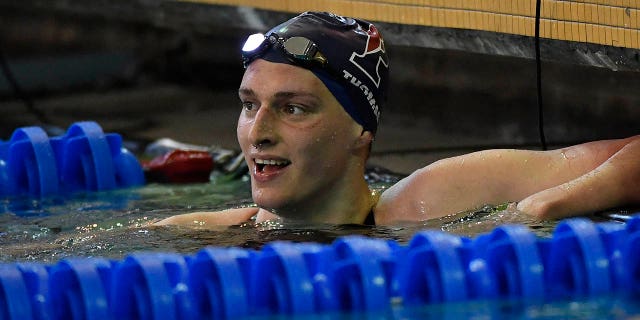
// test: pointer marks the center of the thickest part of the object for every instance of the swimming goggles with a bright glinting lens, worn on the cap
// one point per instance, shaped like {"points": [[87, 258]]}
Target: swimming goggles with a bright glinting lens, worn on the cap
{"points": [[298, 49]]}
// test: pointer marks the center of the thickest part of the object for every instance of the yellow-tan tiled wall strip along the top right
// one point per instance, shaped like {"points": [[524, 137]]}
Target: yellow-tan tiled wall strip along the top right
{"points": [[607, 22]]}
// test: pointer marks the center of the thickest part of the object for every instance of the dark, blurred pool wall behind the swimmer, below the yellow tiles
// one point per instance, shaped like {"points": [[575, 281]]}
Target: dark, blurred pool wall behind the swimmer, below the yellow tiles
{"points": [[152, 69]]}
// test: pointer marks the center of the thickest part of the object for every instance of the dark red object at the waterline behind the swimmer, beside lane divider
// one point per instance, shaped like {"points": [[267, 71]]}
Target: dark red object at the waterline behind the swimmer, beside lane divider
{"points": [[180, 166]]}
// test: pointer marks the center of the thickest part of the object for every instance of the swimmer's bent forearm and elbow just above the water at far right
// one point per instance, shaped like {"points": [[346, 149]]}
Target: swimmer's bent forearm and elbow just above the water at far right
{"points": [[614, 183]]}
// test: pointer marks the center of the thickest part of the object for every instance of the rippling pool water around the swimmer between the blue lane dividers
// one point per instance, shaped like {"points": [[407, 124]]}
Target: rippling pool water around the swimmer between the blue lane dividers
{"points": [[115, 223]]}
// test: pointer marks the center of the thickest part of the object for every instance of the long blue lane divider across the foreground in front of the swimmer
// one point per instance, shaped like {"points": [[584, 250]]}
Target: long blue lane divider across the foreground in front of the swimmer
{"points": [[354, 273]]}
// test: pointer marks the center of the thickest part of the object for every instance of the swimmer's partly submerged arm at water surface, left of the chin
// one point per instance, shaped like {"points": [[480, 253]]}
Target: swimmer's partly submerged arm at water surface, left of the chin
{"points": [[219, 218]]}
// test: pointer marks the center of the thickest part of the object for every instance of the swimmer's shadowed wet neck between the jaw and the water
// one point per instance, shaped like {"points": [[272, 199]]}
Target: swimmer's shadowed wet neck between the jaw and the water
{"points": [[347, 208]]}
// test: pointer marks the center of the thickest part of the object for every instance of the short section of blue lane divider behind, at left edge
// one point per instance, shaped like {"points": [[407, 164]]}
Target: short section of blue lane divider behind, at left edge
{"points": [[83, 159]]}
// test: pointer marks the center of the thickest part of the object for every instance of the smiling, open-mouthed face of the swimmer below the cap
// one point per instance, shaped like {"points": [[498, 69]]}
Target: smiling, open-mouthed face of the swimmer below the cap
{"points": [[297, 139]]}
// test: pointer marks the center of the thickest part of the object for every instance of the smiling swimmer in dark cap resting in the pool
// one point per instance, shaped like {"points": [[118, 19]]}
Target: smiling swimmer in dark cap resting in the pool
{"points": [[311, 98]]}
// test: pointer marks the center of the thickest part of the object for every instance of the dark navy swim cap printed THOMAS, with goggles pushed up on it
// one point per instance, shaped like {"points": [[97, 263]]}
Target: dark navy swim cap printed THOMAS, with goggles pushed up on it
{"points": [[346, 54]]}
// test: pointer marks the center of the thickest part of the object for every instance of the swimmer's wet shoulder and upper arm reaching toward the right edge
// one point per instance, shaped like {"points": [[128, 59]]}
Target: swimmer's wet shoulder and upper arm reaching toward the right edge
{"points": [[495, 176]]}
